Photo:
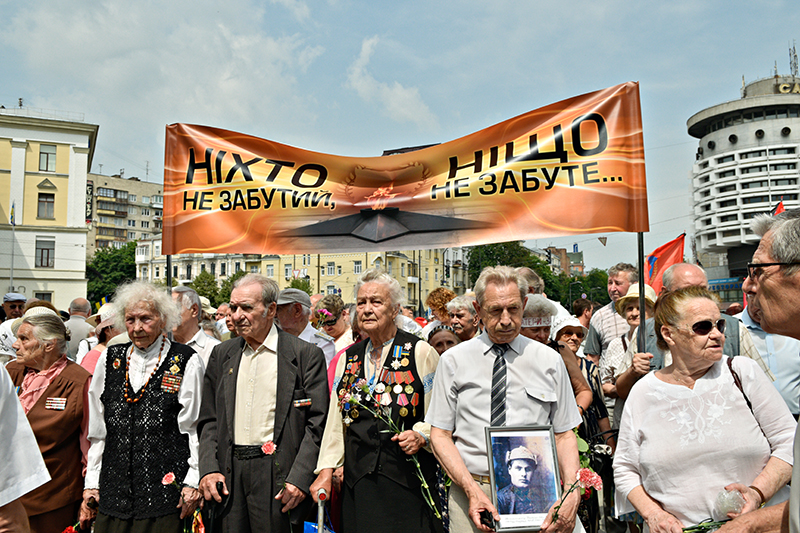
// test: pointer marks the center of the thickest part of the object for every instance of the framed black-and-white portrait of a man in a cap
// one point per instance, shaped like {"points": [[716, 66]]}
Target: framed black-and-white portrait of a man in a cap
{"points": [[523, 470]]}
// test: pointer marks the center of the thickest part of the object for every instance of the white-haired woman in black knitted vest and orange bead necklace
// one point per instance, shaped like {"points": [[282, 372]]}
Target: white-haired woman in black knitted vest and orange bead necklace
{"points": [[144, 402]]}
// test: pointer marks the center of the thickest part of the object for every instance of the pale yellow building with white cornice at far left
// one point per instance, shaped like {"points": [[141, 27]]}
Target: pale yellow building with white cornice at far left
{"points": [[44, 161]]}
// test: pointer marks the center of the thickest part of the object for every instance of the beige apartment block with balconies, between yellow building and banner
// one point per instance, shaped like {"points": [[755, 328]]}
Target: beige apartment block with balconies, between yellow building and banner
{"points": [[122, 210]]}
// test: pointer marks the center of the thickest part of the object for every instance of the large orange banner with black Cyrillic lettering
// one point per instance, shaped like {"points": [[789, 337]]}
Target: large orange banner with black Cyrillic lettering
{"points": [[573, 167]]}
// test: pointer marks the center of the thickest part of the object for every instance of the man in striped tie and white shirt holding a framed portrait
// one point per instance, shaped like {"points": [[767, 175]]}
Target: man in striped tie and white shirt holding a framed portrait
{"points": [[495, 379]]}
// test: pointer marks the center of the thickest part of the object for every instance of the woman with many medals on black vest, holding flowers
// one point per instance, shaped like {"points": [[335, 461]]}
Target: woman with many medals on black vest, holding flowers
{"points": [[379, 437]]}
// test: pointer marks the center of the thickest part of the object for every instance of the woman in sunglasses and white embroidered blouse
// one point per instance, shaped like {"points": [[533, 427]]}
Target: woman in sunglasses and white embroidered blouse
{"points": [[701, 425]]}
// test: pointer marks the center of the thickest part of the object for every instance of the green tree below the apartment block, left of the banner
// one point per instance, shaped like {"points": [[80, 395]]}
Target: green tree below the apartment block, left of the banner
{"points": [[108, 269]]}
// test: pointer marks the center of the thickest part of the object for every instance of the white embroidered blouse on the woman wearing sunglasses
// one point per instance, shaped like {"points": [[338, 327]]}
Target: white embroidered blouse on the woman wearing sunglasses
{"points": [[684, 445]]}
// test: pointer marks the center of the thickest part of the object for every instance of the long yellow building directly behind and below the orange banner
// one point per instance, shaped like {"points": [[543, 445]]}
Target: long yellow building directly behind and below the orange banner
{"points": [[418, 271]]}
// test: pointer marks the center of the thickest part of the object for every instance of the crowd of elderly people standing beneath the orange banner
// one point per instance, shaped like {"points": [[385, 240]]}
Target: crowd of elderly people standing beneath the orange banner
{"points": [[160, 420]]}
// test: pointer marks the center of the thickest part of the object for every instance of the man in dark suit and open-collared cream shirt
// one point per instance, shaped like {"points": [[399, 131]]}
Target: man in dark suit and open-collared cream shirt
{"points": [[265, 400]]}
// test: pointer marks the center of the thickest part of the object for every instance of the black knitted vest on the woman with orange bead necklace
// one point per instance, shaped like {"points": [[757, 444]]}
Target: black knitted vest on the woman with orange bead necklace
{"points": [[143, 442]]}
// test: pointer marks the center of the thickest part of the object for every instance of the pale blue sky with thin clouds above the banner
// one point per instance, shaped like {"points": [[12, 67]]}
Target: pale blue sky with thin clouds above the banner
{"points": [[355, 78]]}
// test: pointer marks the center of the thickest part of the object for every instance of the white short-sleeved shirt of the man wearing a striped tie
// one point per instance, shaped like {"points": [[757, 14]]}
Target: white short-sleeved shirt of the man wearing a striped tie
{"points": [[538, 392]]}
